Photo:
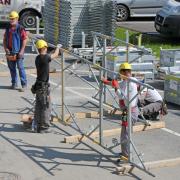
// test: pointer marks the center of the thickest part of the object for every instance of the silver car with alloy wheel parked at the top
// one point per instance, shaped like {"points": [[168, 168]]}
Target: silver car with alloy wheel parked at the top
{"points": [[138, 8]]}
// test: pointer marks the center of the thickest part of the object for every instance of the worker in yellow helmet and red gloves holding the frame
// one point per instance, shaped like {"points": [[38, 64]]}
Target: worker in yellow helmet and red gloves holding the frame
{"points": [[122, 92]]}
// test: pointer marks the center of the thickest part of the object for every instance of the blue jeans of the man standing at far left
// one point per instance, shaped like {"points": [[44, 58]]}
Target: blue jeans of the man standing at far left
{"points": [[22, 74]]}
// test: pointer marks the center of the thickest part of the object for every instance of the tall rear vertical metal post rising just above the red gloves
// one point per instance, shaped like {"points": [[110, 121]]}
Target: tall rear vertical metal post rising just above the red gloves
{"points": [[104, 64]]}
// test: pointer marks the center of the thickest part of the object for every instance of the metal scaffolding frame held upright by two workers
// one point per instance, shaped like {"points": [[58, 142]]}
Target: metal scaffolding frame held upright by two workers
{"points": [[102, 96]]}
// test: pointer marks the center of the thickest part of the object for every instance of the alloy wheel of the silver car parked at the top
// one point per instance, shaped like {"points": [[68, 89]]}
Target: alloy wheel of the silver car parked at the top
{"points": [[122, 13]]}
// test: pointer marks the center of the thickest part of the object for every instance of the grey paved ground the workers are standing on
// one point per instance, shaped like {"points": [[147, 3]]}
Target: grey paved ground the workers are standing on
{"points": [[32, 156]]}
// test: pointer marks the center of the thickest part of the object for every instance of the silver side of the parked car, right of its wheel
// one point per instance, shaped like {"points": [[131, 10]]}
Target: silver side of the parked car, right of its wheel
{"points": [[146, 7]]}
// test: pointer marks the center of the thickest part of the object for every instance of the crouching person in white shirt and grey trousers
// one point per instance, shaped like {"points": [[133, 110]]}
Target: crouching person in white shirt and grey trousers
{"points": [[151, 104]]}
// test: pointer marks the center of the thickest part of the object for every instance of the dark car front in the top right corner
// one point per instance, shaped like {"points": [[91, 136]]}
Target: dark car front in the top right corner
{"points": [[168, 18]]}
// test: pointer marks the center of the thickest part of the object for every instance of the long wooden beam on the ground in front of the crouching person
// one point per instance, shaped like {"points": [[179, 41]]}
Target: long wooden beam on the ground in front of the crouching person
{"points": [[117, 131]]}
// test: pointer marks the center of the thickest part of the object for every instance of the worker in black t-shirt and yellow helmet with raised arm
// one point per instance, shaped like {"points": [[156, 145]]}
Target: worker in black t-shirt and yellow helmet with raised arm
{"points": [[41, 87]]}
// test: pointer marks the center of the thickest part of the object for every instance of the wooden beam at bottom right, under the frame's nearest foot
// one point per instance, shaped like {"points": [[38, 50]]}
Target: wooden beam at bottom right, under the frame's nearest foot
{"points": [[126, 168]]}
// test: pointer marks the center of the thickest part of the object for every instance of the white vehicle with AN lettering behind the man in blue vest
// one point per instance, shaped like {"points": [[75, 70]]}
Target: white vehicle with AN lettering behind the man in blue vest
{"points": [[28, 11]]}
